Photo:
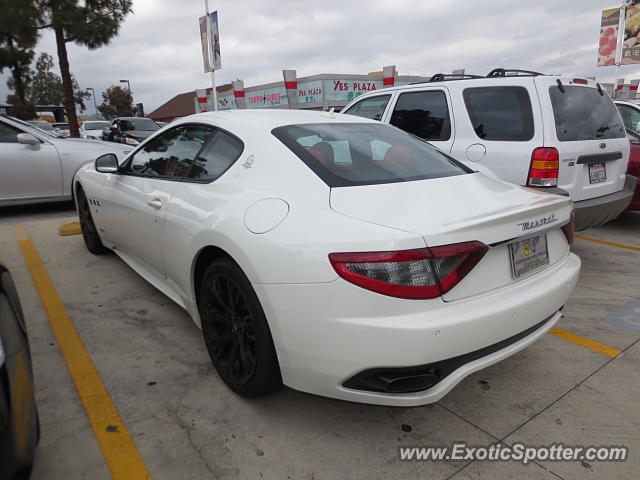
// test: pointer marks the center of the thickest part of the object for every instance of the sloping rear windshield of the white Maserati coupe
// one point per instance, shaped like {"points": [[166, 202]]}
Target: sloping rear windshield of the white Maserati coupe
{"points": [[347, 154]]}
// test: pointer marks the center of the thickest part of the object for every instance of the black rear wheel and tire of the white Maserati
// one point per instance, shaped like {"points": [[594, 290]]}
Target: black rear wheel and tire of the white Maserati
{"points": [[236, 331]]}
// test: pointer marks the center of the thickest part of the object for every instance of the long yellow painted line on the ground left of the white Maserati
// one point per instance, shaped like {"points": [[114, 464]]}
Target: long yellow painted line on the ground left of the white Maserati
{"points": [[120, 453]]}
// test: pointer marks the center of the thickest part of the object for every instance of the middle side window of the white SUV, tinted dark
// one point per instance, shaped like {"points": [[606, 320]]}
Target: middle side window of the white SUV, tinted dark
{"points": [[425, 114]]}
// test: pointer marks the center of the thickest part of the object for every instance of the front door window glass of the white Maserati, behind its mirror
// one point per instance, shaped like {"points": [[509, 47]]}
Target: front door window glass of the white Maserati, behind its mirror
{"points": [[171, 154]]}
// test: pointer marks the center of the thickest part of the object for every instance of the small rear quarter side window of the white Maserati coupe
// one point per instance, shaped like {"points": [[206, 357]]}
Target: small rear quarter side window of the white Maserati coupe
{"points": [[215, 158]]}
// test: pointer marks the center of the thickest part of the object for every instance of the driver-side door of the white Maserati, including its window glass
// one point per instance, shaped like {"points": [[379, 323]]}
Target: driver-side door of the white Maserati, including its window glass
{"points": [[136, 200]]}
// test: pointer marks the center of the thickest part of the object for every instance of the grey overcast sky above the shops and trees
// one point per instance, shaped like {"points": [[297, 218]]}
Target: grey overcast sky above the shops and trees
{"points": [[158, 49]]}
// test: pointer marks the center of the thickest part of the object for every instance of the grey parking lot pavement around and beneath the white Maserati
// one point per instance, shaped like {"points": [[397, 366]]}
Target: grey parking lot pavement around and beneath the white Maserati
{"points": [[185, 424]]}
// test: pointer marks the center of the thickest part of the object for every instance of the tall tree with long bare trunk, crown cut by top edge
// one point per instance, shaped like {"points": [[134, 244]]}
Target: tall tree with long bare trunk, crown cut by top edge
{"points": [[91, 23]]}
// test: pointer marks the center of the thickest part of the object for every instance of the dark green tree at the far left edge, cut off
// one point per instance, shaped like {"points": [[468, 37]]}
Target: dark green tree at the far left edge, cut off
{"points": [[18, 36]]}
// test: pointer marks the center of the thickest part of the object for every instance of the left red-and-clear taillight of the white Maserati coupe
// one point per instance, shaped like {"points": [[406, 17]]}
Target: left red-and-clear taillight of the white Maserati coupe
{"points": [[419, 274]]}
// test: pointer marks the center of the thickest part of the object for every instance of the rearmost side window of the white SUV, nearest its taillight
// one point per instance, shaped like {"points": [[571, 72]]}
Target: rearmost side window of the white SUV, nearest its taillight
{"points": [[500, 113]]}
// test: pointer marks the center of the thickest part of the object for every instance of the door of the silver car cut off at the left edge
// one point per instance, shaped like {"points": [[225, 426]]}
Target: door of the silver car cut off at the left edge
{"points": [[28, 171]]}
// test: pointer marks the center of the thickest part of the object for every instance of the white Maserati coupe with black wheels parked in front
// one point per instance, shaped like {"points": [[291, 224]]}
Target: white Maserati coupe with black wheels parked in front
{"points": [[334, 254]]}
